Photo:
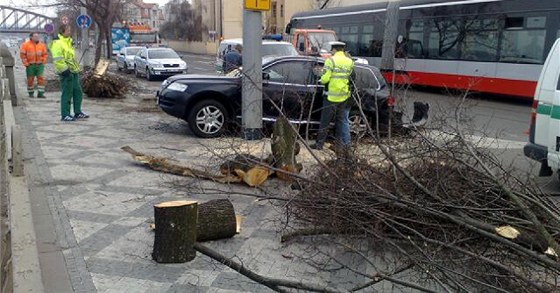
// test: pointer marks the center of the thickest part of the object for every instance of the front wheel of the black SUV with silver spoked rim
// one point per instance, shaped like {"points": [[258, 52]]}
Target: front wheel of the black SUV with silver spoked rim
{"points": [[208, 119]]}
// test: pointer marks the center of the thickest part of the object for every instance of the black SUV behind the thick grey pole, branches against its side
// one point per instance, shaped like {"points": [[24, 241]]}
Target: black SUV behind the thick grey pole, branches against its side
{"points": [[290, 85]]}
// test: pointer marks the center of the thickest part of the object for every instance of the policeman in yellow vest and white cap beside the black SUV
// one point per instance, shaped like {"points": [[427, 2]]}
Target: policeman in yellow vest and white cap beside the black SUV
{"points": [[336, 78]]}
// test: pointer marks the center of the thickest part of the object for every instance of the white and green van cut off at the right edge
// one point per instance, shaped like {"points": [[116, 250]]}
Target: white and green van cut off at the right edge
{"points": [[544, 134]]}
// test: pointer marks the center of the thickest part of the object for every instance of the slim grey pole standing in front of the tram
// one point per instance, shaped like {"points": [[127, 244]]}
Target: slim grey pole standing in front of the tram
{"points": [[390, 35]]}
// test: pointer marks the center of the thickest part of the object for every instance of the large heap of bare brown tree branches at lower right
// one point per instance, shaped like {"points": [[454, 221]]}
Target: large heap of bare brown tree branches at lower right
{"points": [[451, 209]]}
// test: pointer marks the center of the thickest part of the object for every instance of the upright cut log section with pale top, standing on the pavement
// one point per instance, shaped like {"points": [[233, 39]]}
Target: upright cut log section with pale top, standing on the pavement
{"points": [[175, 233]]}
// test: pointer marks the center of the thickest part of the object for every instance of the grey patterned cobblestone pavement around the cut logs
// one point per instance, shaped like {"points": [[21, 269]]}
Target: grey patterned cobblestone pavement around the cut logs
{"points": [[100, 203]]}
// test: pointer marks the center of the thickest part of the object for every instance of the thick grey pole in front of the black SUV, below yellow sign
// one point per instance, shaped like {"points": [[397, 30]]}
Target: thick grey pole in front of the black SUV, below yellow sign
{"points": [[251, 102]]}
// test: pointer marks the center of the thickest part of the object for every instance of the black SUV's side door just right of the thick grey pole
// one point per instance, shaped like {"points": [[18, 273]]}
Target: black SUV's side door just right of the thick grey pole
{"points": [[287, 89]]}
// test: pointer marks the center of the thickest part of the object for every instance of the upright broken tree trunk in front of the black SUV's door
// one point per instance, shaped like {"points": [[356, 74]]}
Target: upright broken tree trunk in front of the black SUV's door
{"points": [[284, 149]]}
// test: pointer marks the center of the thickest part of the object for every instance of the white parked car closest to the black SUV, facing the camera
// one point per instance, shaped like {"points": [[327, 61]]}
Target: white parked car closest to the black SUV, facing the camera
{"points": [[158, 62]]}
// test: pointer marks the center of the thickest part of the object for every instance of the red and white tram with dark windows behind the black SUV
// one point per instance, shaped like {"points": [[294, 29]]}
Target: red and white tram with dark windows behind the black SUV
{"points": [[491, 46]]}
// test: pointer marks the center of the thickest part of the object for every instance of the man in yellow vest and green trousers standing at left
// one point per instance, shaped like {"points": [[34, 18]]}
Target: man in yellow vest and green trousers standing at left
{"points": [[68, 68]]}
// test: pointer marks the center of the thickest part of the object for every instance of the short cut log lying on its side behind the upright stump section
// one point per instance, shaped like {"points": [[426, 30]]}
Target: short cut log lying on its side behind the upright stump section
{"points": [[216, 220]]}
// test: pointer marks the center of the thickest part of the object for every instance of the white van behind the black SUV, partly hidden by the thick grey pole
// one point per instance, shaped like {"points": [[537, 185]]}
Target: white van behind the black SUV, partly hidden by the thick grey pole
{"points": [[269, 49]]}
